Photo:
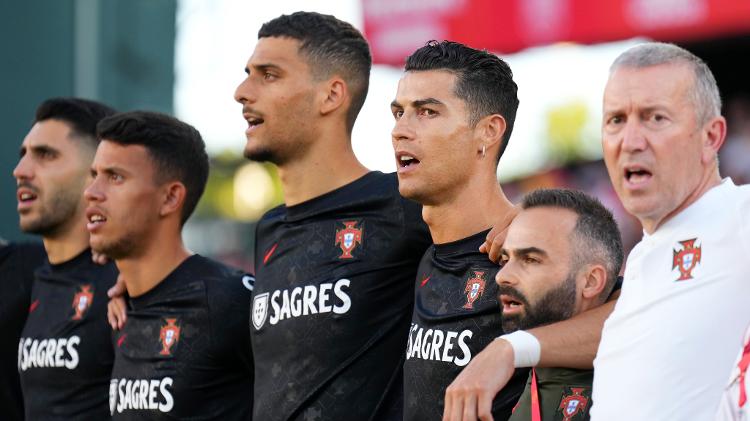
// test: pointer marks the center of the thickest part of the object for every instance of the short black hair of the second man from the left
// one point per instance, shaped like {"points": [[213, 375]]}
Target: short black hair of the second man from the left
{"points": [[176, 148]]}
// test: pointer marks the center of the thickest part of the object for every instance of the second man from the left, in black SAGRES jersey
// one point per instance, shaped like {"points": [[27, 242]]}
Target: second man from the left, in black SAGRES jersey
{"points": [[185, 350]]}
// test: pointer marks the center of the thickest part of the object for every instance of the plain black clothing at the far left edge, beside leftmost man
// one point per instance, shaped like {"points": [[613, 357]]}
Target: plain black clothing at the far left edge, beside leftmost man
{"points": [[17, 264]]}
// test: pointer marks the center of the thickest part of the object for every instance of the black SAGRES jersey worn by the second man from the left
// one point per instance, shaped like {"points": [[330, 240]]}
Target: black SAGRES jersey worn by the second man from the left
{"points": [[184, 352]]}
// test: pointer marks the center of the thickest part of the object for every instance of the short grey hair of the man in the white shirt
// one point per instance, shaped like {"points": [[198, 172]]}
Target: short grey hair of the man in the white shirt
{"points": [[704, 92]]}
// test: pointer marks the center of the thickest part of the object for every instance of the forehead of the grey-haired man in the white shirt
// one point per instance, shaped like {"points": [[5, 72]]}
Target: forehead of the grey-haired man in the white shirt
{"points": [[660, 85]]}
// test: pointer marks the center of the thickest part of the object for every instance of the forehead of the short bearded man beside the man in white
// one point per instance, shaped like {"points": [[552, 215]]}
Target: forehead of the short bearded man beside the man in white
{"points": [[547, 228]]}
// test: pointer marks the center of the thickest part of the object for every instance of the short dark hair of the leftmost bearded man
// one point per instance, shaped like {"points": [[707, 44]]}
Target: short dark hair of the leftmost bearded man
{"points": [[82, 115]]}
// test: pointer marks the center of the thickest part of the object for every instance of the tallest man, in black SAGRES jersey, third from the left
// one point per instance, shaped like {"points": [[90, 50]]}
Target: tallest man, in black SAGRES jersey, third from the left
{"points": [[335, 263]]}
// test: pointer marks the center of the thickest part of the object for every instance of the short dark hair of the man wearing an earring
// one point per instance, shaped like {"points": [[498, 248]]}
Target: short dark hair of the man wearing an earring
{"points": [[483, 80]]}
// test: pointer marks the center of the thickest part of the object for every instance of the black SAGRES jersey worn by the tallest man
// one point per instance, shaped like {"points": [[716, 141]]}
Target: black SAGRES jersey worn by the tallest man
{"points": [[332, 303]]}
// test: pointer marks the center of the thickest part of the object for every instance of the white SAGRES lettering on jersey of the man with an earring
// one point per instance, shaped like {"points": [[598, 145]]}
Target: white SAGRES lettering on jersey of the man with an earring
{"points": [[439, 345]]}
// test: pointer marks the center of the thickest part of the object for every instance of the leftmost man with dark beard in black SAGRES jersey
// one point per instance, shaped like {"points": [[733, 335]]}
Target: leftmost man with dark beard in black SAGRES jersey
{"points": [[64, 340]]}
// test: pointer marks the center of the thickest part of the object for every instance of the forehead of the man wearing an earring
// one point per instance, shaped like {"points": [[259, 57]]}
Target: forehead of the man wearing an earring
{"points": [[417, 85]]}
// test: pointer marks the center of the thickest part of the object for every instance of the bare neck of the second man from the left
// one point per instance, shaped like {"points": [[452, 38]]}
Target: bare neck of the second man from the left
{"points": [[154, 263]]}
